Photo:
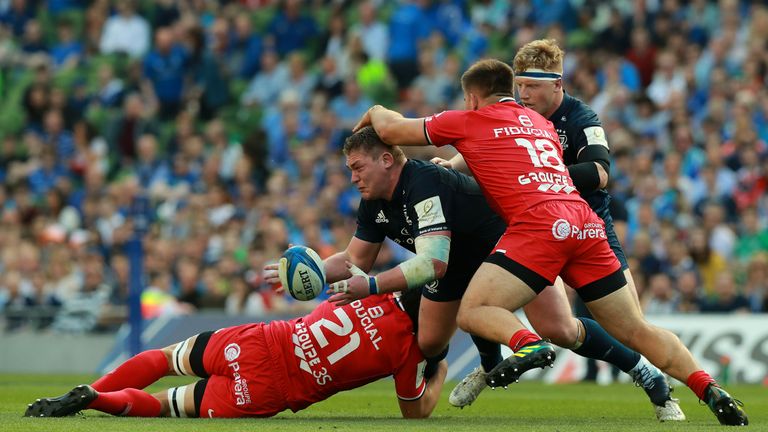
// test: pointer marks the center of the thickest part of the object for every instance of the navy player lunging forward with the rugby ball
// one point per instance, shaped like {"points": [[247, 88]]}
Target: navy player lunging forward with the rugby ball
{"points": [[415, 203]]}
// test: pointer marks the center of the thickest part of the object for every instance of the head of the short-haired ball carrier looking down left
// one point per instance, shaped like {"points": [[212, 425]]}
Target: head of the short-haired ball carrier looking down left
{"points": [[375, 166]]}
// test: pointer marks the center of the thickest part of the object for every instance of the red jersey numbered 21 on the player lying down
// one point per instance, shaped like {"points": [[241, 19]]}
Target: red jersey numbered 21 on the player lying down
{"points": [[340, 348]]}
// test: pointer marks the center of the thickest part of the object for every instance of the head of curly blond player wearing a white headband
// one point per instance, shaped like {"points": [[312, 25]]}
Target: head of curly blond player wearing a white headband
{"points": [[538, 68]]}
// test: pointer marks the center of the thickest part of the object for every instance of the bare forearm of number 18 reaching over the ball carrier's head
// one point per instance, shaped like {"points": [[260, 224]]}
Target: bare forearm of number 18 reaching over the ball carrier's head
{"points": [[393, 128]]}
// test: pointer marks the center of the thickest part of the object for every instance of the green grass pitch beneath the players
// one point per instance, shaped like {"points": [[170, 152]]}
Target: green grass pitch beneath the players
{"points": [[524, 407]]}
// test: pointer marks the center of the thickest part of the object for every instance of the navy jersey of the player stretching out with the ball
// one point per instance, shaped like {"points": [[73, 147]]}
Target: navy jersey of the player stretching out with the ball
{"points": [[431, 198]]}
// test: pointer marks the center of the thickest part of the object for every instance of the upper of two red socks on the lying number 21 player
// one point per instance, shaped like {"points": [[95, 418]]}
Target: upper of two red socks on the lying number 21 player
{"points": [[137, 372]]}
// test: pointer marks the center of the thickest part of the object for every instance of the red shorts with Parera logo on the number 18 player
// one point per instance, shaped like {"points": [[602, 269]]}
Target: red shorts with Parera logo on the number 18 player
{"points": [[560, 238]]}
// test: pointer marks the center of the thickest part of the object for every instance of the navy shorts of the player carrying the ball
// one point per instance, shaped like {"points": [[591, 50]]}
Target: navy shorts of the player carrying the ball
{"points": [[462, 265]]}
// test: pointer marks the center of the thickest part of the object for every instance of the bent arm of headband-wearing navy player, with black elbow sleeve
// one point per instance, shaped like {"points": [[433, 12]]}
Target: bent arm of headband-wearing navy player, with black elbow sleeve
{"points": [[590, 173]]}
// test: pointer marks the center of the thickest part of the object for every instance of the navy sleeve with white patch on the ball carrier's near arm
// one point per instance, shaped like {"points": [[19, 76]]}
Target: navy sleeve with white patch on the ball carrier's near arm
{"points": [[429, 201]]}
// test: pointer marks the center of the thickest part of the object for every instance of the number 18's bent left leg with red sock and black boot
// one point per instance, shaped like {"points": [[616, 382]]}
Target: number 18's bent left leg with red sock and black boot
{"points": [[487, 311]]}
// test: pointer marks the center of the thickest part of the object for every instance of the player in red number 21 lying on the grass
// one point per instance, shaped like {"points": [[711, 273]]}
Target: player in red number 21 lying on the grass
{"points": [[259, 370]]}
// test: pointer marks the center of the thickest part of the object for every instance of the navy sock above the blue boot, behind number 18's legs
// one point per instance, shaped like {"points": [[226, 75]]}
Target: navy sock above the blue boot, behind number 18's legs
{"points": [[599, 345]]}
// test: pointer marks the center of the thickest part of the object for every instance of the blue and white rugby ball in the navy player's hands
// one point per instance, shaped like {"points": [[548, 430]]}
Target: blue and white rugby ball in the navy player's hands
{"points": [[301, 272]]}
